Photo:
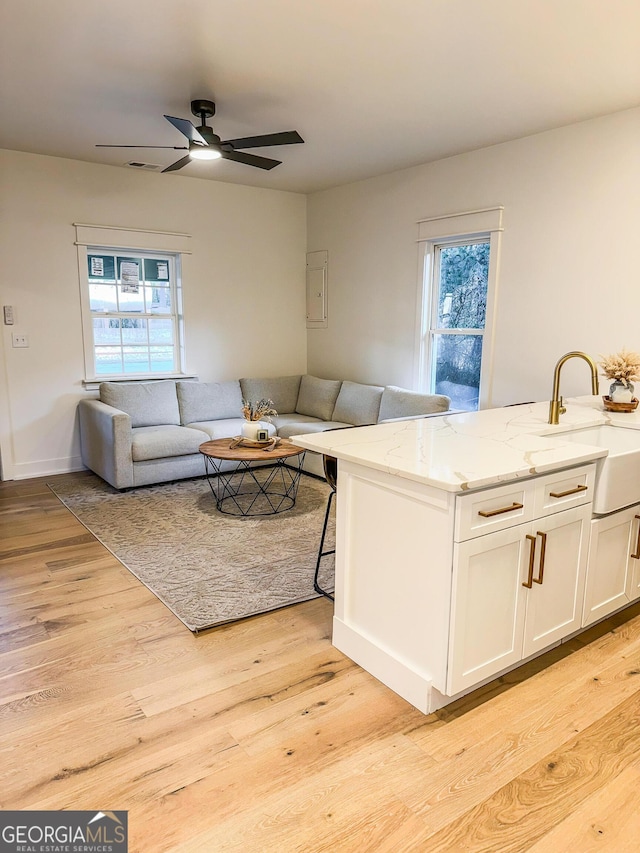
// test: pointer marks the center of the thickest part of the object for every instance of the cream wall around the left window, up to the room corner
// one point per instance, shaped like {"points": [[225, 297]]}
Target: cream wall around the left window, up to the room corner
{"points": [[243, 296]]}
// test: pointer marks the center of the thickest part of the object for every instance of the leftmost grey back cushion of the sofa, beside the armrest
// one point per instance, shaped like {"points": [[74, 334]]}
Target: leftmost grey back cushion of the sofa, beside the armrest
{"points": [[146, 403]]}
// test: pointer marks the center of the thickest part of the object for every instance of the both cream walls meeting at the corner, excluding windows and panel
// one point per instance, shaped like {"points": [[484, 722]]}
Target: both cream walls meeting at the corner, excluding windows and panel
{"points": [[568, 278]]}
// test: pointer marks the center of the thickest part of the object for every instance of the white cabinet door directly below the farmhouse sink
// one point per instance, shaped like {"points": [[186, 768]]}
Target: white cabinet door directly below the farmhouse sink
{"points": [[610, 574]]}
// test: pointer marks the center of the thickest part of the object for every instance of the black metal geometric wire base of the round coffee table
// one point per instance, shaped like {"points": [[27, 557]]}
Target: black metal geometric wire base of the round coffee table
{"points": [[254, 490]]}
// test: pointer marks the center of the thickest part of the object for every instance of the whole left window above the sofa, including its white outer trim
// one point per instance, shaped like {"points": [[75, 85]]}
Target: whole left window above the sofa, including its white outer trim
{"points": [[131, 303]]}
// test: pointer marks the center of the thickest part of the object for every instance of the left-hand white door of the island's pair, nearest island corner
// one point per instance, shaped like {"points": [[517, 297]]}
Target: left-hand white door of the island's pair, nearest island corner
{"points": [[488, 605]]}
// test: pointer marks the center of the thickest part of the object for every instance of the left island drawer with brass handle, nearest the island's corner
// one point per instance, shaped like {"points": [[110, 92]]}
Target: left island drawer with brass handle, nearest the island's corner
{"points": [[484, 511]]}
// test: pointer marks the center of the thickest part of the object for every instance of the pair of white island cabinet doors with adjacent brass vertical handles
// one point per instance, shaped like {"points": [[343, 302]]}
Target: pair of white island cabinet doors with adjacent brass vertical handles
{"points": [[515, 592]]}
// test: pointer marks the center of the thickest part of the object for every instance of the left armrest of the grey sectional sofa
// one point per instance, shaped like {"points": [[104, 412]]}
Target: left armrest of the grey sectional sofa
{"points": [[105, 442]]}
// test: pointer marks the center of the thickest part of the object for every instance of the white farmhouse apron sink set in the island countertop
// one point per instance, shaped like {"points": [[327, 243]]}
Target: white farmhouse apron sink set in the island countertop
{"points": [[618, 474]]}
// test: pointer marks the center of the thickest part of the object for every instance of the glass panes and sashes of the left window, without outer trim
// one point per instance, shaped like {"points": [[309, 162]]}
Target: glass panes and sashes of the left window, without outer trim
{"points": [[133, 302]]}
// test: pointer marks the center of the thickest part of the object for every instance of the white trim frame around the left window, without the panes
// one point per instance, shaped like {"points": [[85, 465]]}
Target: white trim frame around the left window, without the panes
{"points": [[96, 239]]}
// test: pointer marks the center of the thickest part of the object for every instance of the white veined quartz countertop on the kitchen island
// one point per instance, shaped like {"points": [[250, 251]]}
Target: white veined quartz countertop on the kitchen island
{"points": [[472, 450]]}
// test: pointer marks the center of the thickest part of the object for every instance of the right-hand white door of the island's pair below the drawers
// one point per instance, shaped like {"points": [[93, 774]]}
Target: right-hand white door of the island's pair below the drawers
{"points": [[554, 603]]}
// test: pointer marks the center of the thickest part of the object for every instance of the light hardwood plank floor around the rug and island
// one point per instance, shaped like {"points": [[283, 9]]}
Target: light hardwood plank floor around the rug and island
{"points": [[260, 736]]}
